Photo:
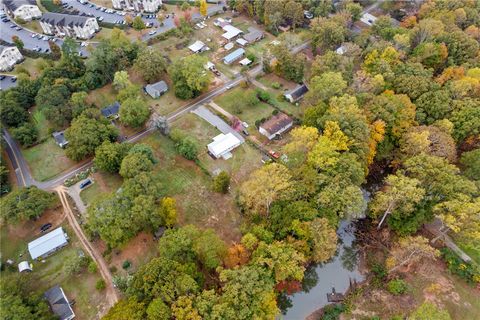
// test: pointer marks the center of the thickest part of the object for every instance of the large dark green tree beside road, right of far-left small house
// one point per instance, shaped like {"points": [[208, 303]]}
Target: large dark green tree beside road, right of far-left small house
{"points": [[86, 133]]}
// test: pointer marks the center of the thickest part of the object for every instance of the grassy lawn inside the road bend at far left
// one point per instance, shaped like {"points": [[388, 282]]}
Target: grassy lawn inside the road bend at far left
{"points": [[47, 160]]}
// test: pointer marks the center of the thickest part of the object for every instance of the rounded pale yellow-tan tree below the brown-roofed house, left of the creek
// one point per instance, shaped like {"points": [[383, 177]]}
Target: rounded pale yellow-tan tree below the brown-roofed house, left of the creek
{"points": [[265, 185]]}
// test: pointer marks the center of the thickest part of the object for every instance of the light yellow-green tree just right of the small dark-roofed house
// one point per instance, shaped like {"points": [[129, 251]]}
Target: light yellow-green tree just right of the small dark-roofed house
{"points": [[324, 87]]}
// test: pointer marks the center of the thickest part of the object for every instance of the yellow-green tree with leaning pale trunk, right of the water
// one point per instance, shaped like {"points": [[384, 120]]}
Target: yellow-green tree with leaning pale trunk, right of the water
{"points": [[399, 197]]}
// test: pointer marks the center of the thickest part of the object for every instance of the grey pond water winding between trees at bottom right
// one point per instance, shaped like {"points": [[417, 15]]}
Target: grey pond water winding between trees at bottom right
{"points": [[319, 279]]}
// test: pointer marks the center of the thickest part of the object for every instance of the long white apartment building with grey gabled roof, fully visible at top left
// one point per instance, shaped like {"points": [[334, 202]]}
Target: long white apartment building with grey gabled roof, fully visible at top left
{"points": [[69, 25]]}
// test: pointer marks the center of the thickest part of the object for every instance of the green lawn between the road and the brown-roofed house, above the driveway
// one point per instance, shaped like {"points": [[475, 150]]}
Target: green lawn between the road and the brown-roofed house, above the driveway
{"points": [[234, 102]]}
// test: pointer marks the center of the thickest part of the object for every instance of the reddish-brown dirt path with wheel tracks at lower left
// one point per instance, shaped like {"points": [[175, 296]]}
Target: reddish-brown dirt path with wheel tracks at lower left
{"points": [[111, 294]]}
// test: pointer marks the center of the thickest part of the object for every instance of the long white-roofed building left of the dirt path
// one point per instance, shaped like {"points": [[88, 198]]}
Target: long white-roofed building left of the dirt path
{"points": [[47, 244]]}
